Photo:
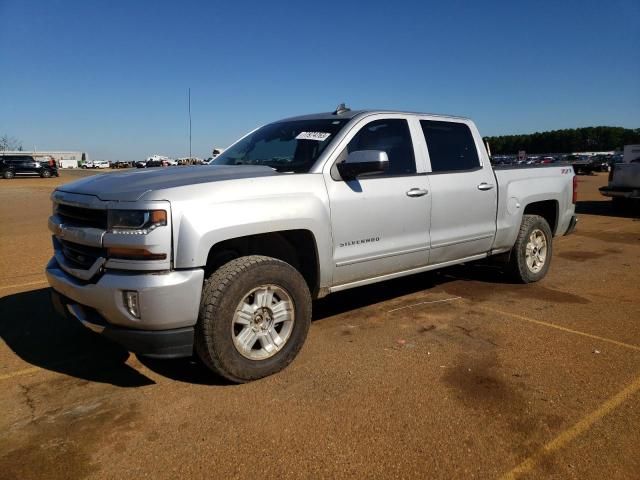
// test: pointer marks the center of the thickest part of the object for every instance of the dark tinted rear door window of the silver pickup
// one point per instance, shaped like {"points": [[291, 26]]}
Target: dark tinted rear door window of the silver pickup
{"points": [[451, 146]]}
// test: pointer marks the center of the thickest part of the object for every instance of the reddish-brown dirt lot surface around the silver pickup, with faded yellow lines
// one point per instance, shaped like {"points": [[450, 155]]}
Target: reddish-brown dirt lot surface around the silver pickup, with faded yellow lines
{"points": [[452, 374]]}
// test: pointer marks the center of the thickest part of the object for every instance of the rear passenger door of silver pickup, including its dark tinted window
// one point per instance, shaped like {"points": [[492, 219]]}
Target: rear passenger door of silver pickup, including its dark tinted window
{"points": [[464, 193]]}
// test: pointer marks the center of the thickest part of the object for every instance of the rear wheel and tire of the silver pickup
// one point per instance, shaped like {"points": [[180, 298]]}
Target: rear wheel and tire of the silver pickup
{"points": [[529, 260]]}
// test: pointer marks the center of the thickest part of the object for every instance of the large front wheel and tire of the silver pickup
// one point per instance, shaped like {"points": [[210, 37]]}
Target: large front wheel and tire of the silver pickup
{"points": [[221, 328]]}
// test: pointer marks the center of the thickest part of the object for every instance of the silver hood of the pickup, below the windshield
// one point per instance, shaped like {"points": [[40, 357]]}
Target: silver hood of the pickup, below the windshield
{"points": [[132, 185]]}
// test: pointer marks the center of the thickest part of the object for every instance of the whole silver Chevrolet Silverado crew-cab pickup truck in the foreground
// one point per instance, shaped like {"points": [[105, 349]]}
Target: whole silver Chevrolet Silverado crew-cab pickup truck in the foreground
{"points": [[224, 260]]}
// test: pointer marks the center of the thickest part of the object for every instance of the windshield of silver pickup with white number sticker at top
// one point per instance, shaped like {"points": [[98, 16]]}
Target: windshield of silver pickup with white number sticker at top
{"points": [[284, 146]]}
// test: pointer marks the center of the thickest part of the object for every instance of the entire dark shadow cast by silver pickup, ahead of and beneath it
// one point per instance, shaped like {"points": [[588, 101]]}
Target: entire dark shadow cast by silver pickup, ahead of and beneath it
{"points": [[39, 336]]}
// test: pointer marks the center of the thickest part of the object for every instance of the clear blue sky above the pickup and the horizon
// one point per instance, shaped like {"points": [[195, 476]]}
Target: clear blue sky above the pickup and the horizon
{"points": [[111, 77]]}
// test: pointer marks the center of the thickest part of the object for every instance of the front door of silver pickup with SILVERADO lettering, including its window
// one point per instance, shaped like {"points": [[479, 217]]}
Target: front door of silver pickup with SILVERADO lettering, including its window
{"points": [[380, 223]]}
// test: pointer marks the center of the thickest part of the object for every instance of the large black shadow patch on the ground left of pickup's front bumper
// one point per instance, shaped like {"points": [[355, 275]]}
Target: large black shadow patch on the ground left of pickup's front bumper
{"points": [[39, 336]]}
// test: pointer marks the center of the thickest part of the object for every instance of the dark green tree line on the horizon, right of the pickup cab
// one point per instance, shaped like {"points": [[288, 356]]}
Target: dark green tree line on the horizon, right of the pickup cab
{"points": [[589, 139]]}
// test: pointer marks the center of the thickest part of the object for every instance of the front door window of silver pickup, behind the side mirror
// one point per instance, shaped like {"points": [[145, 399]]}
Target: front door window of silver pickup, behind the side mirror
{"points": [[391, 136]]}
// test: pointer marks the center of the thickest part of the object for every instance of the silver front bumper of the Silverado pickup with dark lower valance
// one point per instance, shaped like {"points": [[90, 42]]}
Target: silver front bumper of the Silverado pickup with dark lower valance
{"points": [[168, 306]]}
